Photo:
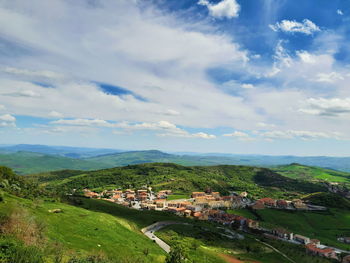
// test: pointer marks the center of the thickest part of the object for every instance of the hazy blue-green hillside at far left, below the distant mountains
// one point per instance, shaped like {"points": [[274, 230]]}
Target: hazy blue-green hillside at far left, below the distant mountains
{"points": [[29, 162]]}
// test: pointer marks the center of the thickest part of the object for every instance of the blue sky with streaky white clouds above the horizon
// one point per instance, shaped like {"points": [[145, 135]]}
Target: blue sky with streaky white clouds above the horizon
{"points": [[230, 76]]}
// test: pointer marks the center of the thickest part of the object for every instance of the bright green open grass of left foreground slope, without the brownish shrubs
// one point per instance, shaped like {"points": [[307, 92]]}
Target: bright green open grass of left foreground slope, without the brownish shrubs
{"points": [[81, 230]]}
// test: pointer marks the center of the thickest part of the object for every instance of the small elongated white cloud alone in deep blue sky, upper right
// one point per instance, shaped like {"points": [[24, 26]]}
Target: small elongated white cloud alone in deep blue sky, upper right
{"points": [[291, 26]]}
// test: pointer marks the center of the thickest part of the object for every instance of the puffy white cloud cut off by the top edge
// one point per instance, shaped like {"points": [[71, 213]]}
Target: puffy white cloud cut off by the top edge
{"points": [[222, 9]]}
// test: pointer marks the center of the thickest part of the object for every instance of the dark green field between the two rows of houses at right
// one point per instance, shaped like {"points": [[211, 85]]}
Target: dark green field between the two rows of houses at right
{"points": [[325, 226]]}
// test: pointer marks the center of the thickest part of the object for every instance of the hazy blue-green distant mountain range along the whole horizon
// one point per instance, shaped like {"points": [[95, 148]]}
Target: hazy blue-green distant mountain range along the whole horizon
{"points": [[26, 159]]}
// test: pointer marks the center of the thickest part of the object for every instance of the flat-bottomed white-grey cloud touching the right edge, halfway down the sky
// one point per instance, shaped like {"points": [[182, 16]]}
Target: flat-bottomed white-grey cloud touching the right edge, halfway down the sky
{"points": [[327, 107]]}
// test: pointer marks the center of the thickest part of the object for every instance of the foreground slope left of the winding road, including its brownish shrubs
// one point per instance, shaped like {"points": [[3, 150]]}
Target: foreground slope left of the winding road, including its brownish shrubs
{"points": [[74, 232]]}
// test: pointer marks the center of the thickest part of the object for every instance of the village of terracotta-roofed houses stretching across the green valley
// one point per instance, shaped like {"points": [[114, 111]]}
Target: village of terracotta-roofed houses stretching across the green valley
{"points": [[211, 206]]}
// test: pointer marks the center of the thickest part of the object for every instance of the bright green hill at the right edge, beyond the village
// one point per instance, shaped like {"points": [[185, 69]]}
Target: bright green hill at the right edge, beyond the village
{"points": [[312, 173]]}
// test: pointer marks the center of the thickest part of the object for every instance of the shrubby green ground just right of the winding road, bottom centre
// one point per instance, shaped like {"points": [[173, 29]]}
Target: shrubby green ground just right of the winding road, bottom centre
{"points": [[205, 244]]}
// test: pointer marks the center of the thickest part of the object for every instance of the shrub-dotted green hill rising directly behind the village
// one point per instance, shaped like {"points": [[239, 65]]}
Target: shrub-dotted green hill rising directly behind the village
{"points": [[182, 179]]}
